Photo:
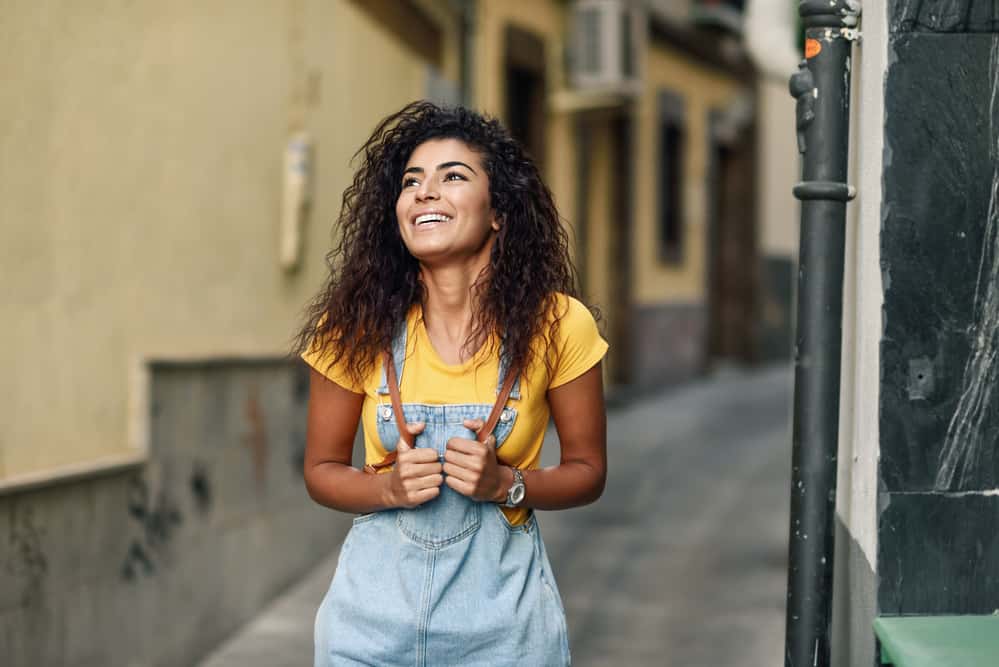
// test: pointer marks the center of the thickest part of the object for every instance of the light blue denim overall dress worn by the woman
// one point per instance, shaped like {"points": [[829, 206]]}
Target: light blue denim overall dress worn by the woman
{"points": [[450, 582]]}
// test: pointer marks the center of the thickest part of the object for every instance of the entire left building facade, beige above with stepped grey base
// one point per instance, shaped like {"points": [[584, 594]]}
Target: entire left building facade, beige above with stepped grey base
{"points": [[158, 245]]}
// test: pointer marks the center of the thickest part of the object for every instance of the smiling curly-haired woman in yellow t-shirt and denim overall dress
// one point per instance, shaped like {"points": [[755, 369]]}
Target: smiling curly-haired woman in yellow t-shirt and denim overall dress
{"points": [[448, 327]]}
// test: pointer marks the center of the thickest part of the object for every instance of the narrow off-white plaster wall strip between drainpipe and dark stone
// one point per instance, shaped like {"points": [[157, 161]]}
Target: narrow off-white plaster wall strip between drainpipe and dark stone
{"points": [[854, 600]]}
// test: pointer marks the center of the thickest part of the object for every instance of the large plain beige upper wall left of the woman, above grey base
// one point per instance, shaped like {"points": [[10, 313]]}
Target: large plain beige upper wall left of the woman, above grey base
{"points": [[140, 193]]}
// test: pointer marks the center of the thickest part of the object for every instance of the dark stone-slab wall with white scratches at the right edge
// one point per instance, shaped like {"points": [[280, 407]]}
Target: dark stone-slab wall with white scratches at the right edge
{"points": [[938, 474]]}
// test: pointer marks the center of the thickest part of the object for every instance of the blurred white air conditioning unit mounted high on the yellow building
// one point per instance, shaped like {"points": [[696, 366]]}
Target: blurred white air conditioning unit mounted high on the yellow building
{"points": [[605, 46]]}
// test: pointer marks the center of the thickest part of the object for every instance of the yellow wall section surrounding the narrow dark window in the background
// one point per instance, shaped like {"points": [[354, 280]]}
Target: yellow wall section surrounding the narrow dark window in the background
{"points": [[703, 89]]}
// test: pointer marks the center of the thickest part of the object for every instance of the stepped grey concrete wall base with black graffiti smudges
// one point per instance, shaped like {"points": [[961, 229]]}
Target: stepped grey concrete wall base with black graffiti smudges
{"points": [[155, 566]]}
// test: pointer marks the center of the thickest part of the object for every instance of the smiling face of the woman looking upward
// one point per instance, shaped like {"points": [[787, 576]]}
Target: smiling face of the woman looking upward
{"points": [[443, 209]]}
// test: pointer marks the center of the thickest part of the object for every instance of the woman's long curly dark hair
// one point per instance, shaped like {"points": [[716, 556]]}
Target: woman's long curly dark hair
{"points": [[374, 281]]}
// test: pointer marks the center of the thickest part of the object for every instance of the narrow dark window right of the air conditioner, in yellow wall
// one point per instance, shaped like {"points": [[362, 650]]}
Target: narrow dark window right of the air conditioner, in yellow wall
{"points": [[672, 149]]}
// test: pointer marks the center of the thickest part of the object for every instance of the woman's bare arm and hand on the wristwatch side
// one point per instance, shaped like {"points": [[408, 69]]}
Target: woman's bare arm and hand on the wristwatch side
{"points": [[578, 410]]}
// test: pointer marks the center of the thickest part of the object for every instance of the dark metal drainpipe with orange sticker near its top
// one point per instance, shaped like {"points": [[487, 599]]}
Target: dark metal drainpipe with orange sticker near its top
{"points": [[821, 87]]}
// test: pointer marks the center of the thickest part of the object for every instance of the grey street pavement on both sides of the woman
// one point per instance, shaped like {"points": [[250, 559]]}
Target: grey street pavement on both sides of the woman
{"points": [[680, 563]]}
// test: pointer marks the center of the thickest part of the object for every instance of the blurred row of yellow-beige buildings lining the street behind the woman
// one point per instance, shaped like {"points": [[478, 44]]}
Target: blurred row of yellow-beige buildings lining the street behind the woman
{"points": [[169, 175]]}
